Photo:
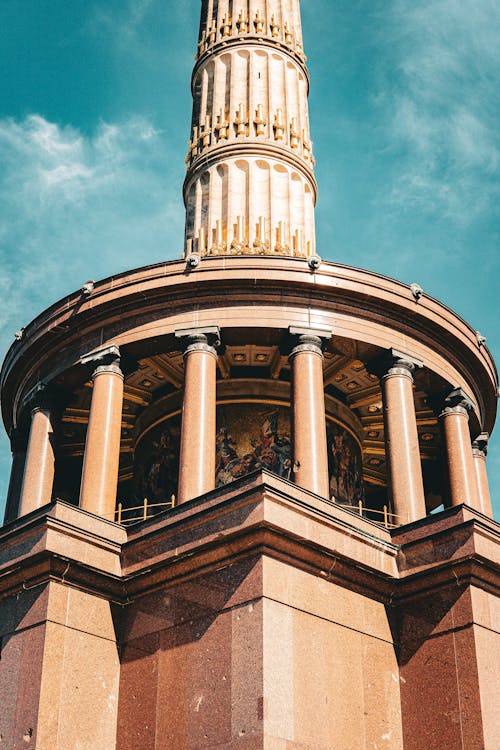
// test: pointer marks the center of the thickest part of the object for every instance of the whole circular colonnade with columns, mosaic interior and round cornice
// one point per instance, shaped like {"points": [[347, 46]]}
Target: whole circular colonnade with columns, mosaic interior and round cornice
{"points": [[162, 383]]}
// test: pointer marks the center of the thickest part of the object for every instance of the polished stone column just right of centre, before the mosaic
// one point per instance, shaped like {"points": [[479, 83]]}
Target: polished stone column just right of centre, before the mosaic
{"points": [[310, 453]]}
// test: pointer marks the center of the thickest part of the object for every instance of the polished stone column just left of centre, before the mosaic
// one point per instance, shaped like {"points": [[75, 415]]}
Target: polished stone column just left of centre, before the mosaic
{"points": [[197, 449]]}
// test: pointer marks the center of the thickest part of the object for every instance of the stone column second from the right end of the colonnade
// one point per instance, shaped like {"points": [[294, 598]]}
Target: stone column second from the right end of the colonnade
{"points": [[461, 471]]}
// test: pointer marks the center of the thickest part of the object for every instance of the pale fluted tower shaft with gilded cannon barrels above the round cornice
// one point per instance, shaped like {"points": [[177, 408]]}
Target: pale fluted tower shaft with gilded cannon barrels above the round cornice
{"points": [[250, 186]]}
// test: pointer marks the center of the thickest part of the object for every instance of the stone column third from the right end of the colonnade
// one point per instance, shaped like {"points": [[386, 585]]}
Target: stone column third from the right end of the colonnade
{"points": [[401, 437]]}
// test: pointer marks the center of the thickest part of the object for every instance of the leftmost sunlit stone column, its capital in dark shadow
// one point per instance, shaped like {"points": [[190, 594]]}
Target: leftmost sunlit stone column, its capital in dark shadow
{"points": [[39, 468]]}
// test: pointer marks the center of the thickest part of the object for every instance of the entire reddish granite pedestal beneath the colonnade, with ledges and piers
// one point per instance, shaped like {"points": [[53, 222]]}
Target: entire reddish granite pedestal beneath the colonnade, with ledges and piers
{"points": [[256, 616]]}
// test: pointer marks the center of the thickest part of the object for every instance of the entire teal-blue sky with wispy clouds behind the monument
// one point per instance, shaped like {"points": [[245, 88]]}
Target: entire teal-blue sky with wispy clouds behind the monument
{"points": [[94, 119]]}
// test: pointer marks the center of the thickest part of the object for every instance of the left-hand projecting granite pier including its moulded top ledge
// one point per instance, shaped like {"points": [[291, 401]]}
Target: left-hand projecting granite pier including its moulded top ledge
{"points": [[59, 666]]}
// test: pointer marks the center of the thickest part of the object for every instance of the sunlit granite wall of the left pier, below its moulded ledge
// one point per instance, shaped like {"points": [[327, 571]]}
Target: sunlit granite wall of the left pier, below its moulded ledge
{"points": [[60, 670]]}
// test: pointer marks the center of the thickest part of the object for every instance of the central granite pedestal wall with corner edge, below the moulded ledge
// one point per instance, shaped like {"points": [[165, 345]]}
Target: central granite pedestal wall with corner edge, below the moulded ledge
{"points": [[258, 655]]}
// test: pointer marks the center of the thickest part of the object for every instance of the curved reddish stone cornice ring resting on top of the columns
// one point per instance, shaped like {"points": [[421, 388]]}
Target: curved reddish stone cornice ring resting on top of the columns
{"points": [[56, 340]]}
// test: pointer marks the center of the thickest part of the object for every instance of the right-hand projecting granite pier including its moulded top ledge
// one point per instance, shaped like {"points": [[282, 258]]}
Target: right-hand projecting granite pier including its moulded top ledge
{"points": [[448, 632]]}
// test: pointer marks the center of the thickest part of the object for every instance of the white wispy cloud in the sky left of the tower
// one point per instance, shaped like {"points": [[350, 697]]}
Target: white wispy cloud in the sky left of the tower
{"points": [[74, 207]]}
